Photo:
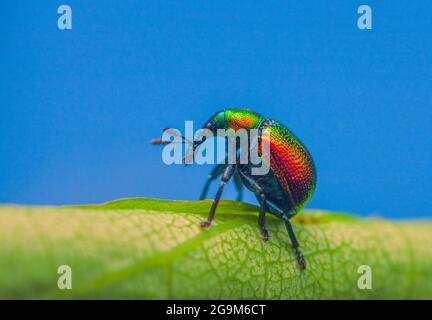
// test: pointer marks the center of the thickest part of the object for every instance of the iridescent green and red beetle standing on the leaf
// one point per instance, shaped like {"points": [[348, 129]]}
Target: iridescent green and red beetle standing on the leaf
{"points": [[287, 186]]}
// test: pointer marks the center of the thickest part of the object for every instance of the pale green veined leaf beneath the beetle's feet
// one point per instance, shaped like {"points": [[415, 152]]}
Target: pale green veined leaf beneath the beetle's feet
{"points": [[155, 249]]}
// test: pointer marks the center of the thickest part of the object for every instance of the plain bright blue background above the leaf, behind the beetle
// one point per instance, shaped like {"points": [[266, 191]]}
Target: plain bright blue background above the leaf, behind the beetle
{"points": [[78, 107]]}
